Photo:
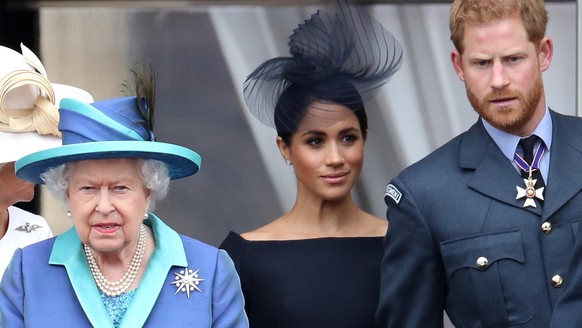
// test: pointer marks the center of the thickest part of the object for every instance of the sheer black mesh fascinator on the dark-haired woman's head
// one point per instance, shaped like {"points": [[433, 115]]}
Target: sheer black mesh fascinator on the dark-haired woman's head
{"points": [[342, 57]]}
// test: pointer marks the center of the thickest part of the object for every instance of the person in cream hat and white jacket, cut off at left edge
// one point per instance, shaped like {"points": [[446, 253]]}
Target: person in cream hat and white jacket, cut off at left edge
{"points": [[28, 123]]}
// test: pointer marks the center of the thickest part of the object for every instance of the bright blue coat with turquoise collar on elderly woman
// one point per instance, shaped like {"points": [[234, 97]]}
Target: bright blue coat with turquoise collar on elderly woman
{"points": [[49, 284]]}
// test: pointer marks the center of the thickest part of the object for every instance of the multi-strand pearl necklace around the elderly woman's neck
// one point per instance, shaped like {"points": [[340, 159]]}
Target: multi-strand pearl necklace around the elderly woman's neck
{"points": [[116, 288]]}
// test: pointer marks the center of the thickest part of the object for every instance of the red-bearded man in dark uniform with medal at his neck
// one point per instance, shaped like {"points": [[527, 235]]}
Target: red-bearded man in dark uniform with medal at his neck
{"points": [[483, 227]]}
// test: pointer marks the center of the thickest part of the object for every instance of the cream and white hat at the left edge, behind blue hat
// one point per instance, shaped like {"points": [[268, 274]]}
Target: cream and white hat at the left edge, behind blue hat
{"points": [[28, 112]]}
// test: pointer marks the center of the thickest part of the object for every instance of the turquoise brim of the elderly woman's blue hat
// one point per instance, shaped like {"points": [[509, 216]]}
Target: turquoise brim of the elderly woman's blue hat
{"points": [[181, 161]]}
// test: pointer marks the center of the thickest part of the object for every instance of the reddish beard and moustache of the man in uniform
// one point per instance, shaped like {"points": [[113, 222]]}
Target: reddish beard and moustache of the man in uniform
{"points": [[510, 118]]}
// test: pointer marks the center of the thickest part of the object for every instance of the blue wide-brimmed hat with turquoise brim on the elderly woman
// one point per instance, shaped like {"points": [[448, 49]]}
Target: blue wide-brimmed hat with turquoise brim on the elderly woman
{"points": [[114, 128]]}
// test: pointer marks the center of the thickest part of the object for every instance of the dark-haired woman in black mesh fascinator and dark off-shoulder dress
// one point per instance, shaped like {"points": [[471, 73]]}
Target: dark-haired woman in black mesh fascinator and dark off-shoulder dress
{"points": [[318, 265]]}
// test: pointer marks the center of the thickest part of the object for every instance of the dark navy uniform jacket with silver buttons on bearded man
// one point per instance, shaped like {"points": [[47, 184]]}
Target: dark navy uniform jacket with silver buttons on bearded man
{"points": [[459, 240]]}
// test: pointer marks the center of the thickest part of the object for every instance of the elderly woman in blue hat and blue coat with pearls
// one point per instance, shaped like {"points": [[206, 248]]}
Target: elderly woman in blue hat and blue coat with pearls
{"points": [[120, 265]]}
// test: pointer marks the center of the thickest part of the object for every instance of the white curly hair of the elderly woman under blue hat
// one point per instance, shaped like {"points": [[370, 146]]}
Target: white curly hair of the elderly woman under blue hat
{"points": [[155, 177]]}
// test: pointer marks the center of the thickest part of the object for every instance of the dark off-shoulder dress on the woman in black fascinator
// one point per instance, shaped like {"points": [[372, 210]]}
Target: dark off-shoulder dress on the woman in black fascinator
{"points": [[319, 283]]}
